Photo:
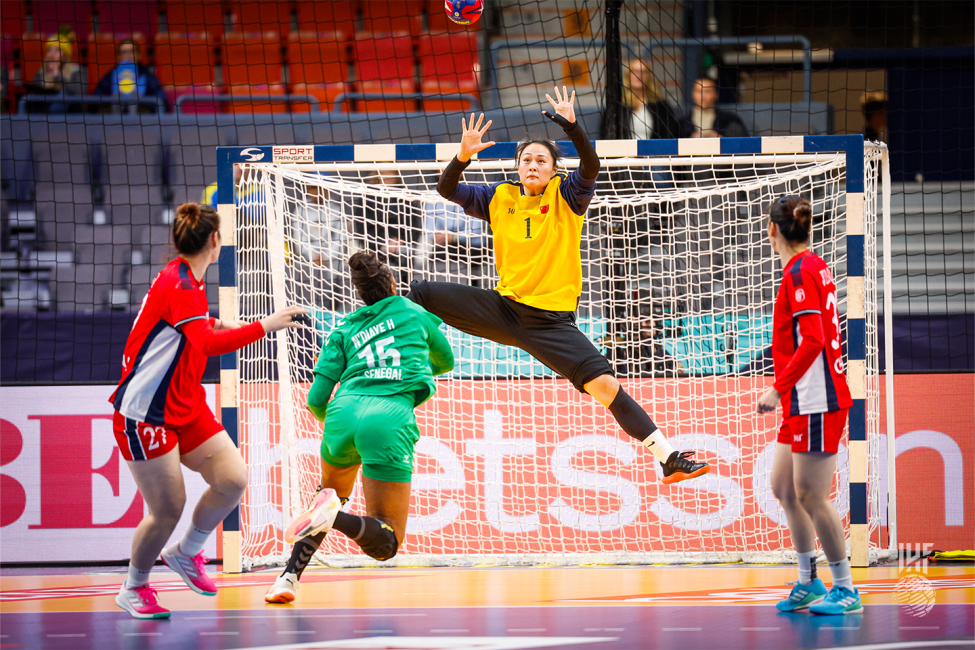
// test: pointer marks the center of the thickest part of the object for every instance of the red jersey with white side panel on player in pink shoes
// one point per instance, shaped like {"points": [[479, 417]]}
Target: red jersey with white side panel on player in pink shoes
{"points": [[161, 372]]}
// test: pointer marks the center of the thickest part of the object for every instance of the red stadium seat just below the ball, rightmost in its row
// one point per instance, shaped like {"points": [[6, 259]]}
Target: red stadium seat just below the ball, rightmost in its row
{"points": [[449, 64]]}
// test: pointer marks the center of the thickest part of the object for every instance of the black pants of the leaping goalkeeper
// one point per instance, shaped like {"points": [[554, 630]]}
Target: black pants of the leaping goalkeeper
{"points": [[552, 337]]}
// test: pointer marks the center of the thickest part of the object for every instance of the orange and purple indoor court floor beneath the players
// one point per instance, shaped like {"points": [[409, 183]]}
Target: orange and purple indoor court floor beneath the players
{"points": [[708, 607]]}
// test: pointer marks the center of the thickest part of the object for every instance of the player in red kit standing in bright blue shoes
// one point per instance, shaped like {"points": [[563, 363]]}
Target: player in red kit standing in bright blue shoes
{"points": [[810, 382]]}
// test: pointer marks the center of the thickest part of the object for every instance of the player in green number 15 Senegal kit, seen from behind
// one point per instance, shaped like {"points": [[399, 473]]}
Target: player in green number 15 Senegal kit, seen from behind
{"points": [[384, 357]]}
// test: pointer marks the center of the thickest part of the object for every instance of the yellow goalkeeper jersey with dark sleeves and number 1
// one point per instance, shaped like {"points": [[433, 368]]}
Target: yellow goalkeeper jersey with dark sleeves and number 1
{"points": [[536, 238]]}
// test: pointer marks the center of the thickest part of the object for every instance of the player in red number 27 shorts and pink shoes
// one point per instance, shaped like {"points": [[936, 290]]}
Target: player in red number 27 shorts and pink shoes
{"points": [[161, 415]]}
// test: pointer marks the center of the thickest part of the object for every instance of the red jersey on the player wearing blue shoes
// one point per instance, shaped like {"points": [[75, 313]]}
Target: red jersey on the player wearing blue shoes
{"points": [[807, 349]]}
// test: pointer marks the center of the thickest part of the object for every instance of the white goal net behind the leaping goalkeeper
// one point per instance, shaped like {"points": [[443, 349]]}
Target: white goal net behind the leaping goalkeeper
{"points": [[514, 466]]}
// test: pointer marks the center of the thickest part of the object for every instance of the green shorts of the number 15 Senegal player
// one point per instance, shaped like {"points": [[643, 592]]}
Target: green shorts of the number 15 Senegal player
{"points": [[378, 431]]}
